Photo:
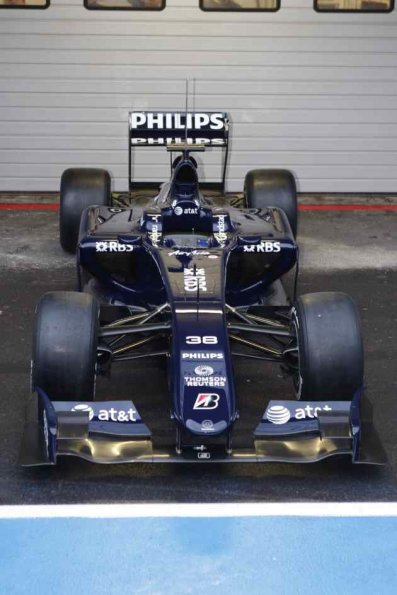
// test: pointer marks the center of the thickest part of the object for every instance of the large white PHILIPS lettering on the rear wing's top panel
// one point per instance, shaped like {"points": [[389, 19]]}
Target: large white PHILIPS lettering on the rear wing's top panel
{"points": [[176, 121]]}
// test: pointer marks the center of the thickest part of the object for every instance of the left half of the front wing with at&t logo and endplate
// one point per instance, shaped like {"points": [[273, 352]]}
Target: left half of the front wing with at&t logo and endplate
{"points": [[99, 431]]}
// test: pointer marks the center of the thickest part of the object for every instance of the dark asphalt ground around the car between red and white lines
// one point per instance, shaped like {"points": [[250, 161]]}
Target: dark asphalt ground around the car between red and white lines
{"points": [[355, 252]]}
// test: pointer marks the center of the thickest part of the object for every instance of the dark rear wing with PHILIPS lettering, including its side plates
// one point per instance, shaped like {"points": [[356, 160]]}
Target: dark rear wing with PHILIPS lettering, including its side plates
{"points": [[164, 129]]}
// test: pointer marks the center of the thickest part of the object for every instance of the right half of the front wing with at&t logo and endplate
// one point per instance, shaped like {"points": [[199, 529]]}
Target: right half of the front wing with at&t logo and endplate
{"points": [[308, 431]]}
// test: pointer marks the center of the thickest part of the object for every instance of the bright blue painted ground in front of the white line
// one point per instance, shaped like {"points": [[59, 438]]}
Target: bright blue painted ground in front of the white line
{"points": [[155, 556]]}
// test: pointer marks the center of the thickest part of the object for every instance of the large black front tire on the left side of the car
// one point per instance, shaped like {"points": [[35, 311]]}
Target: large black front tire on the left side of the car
{"points": [[65, 346]]}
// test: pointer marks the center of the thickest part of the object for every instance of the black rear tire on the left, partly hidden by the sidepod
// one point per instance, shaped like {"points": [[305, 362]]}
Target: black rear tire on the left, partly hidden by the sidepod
{"points": [[80, 188]]}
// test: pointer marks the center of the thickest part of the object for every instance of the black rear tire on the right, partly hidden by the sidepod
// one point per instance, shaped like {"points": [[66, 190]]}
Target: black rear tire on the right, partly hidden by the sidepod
{"points": [[273, 188]]}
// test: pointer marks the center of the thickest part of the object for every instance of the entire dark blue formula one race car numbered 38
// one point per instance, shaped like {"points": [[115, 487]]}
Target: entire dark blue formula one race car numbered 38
{"points": [[198, 284]]}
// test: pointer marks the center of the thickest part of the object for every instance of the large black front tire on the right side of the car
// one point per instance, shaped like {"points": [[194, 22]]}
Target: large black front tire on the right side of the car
{"points": [[330, 347]]}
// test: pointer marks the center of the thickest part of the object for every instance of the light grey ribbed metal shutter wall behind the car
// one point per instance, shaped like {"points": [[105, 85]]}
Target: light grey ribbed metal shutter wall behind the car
{"points": [[312, 92]]}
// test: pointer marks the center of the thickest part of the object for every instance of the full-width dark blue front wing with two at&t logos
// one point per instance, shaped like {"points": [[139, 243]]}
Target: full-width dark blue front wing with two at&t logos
{"points": [[113, 432]]}
